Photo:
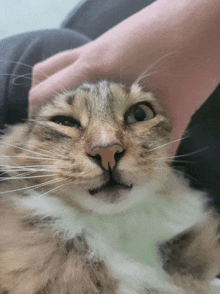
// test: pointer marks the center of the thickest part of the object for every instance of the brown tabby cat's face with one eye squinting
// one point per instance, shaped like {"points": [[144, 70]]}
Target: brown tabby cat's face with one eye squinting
{"points": [[101, 141]]}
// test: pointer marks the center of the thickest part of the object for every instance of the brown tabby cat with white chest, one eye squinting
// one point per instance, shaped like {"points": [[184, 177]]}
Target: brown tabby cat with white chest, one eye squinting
{"points": [[90, 203]]}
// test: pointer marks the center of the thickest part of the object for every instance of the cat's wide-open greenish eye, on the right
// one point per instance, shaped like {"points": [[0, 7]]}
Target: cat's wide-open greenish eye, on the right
{"points": [[138, 113]]}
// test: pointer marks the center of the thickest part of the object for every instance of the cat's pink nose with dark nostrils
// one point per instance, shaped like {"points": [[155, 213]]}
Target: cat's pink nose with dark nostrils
{"points": [[108, 156]]}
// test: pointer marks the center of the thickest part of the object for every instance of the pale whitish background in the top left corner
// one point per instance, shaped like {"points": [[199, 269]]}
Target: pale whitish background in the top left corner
{"points": [[17, 16]]}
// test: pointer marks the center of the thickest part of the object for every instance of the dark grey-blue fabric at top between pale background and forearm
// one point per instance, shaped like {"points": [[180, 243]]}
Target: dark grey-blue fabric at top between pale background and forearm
{"points": [[94, 17]]}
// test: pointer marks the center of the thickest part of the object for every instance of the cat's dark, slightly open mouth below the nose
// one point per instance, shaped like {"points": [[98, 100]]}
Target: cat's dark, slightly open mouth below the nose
{"points": [[111, 186]]}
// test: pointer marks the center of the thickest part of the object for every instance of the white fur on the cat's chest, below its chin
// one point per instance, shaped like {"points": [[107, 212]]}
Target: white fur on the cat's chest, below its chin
{"points": [[127, 241]]}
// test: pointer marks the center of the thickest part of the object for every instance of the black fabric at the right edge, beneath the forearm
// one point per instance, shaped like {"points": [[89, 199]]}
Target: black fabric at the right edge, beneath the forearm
{"points": [[198, 155]]}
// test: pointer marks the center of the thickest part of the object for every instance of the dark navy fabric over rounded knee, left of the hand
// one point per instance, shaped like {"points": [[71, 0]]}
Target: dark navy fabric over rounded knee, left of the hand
{"points": [[18, 54]]}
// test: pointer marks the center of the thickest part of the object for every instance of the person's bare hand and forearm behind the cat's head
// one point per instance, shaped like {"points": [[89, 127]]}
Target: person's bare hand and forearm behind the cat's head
{"points": [[175, 44]]}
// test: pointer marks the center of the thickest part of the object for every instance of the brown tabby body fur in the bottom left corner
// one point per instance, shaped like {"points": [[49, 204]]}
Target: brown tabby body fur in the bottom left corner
{"points": [[34, 261]]}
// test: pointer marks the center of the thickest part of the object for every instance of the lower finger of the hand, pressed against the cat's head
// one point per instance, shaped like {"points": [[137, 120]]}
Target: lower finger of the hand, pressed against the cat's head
{"points": [[67, 78]]}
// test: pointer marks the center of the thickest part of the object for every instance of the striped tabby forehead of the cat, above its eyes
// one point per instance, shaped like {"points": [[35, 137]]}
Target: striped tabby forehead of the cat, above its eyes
{"points": [[101, 99]]}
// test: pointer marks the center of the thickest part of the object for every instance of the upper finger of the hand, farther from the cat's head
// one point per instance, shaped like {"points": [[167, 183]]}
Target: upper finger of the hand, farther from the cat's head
{"points": [[50, 66]]}
